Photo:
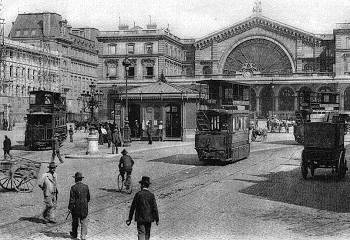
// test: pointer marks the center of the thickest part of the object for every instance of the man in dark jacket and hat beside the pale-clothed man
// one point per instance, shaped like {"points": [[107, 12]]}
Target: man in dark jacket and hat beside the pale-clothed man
{"points": [[78, 206]]}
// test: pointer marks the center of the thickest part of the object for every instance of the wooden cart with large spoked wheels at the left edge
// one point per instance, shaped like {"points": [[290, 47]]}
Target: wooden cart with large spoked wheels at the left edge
{"points": [[19, 174]]}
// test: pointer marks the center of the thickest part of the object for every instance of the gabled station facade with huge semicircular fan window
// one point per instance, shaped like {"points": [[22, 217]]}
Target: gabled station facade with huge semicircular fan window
{"points": [[280, 62]]}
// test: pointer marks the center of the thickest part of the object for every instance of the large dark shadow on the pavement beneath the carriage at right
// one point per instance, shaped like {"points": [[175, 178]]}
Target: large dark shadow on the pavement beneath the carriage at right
{"points": [[323, 192]]}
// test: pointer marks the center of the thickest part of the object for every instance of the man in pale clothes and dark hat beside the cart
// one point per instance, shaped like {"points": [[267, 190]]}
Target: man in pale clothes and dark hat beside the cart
{"points": [[48, 183]]}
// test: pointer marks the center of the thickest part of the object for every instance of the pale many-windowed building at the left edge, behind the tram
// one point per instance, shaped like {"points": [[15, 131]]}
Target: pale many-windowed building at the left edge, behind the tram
{"points": [[25, 68]]}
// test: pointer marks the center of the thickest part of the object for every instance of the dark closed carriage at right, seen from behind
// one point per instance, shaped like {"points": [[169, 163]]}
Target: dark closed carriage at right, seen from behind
{"points": [[323, 148]]}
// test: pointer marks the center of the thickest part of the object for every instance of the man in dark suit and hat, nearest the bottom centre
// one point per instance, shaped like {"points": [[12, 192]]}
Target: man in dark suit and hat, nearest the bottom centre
{"points": [[145, 207]]}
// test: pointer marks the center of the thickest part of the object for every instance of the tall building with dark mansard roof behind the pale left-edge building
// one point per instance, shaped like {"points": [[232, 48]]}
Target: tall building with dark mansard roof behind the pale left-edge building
{"points": [[77, 46]]}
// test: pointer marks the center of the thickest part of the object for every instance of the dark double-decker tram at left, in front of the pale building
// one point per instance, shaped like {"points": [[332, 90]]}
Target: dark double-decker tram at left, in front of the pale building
{"points": [[46, 117]]}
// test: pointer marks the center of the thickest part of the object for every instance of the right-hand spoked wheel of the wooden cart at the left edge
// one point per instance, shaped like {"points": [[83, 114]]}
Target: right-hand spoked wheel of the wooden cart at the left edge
{"points": [[24, 182]]}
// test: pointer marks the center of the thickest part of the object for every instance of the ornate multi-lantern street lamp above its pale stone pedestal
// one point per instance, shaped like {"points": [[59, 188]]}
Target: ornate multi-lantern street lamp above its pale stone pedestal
{"points": [[92, 99]]}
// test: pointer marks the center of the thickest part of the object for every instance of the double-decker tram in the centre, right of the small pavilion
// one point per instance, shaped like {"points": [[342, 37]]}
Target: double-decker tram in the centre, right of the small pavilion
{"points": [[222, 133]]}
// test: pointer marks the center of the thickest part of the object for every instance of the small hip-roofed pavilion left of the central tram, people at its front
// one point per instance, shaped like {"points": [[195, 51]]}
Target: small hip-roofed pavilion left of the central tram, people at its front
{"points": [[170, 108]]}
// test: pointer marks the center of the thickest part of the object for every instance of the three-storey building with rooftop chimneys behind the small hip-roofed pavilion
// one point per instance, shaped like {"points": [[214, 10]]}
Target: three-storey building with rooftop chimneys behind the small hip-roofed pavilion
{"points": [[150, 52]]}
